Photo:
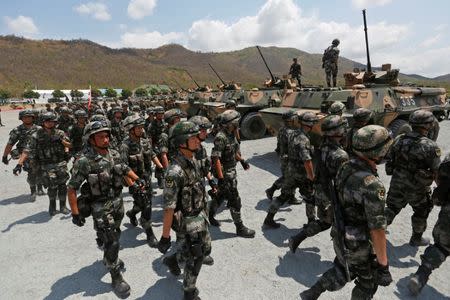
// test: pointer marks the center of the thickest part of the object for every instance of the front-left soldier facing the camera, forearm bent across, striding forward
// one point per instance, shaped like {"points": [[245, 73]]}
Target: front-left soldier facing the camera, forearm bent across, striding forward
{"points": [[103, 172]]}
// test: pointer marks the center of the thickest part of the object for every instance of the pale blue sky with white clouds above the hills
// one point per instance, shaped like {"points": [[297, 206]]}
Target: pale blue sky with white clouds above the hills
{"points": [[413, 35]]}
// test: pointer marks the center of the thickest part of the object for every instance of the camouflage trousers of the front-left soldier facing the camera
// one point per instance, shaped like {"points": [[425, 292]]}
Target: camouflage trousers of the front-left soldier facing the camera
{"points": [[107, 218]]}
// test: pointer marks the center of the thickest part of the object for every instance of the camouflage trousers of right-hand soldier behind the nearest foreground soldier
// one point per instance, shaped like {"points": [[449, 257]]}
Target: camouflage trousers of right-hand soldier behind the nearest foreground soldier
{"points": [[402, 192]]}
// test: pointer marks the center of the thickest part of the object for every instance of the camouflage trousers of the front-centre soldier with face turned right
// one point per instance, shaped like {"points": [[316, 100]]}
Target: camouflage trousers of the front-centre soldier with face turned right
{"points": [[195, 248]]}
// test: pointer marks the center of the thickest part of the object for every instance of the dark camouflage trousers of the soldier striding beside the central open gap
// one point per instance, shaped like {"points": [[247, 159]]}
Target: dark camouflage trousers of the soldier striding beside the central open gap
{"points": [[227, 189]]}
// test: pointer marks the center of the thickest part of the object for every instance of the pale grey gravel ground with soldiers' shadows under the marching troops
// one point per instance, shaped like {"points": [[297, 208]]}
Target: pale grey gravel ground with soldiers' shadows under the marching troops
{"points": [[50, 258]]}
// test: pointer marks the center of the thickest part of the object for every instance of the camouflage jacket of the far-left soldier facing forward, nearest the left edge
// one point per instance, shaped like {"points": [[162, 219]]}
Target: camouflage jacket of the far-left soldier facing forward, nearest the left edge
{"points": [[47, 149]]}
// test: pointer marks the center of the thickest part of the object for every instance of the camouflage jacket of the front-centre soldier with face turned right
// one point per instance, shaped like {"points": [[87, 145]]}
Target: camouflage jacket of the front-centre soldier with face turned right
{"points": [[184, 191]]}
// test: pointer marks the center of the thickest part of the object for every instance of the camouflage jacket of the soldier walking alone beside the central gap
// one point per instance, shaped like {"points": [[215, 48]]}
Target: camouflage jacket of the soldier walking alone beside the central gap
{"points": [[226, 146]]}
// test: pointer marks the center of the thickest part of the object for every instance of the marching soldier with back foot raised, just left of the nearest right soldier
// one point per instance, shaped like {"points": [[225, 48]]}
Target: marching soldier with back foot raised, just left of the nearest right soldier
{"points": [[331, 156]]}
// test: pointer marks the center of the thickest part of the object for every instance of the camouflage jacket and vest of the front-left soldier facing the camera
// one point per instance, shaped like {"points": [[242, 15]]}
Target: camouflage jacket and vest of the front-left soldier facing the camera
{"points": [[104, 174]]}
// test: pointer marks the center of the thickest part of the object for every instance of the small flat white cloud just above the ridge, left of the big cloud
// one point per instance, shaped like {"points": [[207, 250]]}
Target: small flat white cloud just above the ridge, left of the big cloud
{"points": [[152, 39]]}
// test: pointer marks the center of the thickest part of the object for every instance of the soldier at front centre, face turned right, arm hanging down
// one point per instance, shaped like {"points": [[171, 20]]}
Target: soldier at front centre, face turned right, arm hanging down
{"points": [[184, 193]]}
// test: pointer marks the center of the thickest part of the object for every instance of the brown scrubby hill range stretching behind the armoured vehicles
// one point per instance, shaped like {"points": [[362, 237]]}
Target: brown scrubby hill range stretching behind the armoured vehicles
{"points": [[58, 64]]}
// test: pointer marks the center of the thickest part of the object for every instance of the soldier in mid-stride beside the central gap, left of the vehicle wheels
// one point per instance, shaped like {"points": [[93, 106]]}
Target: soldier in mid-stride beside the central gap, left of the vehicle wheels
{"points": [[225, 154]]}
